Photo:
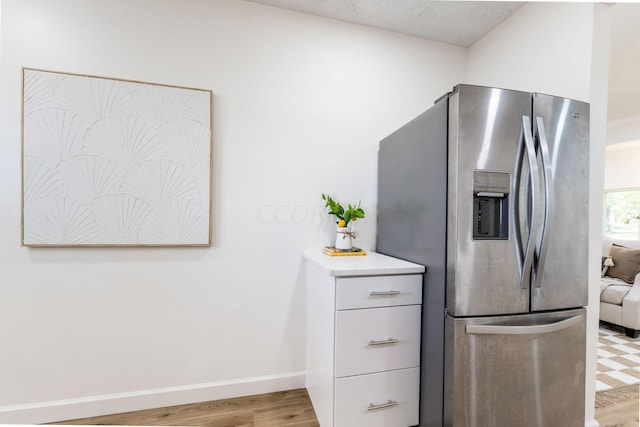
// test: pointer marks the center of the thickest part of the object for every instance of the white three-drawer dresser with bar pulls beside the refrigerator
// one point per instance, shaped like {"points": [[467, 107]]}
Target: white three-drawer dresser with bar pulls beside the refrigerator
{"points": [[363, 339]]}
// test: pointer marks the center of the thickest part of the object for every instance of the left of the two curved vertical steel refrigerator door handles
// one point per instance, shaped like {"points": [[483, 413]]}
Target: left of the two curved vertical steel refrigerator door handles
{"points": [[529, 252]]}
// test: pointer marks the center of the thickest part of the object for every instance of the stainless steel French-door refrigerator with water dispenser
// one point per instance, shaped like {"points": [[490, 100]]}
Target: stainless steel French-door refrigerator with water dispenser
{"points": [[489, 190]]}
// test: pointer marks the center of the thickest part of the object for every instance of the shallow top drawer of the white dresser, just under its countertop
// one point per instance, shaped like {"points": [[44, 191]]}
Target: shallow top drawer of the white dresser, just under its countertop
{"points": [[378, 291]]}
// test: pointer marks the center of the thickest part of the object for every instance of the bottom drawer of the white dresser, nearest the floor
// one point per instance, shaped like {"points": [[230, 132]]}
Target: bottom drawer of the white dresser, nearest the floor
{"points": [[385, 399]]}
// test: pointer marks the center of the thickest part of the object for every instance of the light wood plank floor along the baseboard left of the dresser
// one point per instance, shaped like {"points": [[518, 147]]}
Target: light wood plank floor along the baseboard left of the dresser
{"points": [[281, 409]]}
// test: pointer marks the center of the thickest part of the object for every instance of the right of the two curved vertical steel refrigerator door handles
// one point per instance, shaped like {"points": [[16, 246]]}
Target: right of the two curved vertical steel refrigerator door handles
{"points": [[548, 200]]}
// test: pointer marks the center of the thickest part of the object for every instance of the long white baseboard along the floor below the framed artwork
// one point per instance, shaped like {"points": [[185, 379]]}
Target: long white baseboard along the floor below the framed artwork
{"points": [[83, 407]]}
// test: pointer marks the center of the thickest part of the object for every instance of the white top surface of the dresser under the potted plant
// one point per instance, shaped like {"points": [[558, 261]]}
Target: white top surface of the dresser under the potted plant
{"points": [[371, 264]]}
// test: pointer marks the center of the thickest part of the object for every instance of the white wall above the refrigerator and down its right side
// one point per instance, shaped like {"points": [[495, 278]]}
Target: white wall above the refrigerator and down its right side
{"points": [[559, 49]]}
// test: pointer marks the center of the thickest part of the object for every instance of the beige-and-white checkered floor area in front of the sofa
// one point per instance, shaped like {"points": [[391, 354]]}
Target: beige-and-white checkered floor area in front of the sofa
{"points": [[618, 359]]}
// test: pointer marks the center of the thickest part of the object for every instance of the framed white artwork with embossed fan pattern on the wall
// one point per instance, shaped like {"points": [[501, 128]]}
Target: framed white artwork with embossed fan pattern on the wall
{"points": [[114, 163]]}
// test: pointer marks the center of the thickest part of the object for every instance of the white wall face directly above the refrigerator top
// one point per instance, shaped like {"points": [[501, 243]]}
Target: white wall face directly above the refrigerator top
{"points": [[543, 47]]}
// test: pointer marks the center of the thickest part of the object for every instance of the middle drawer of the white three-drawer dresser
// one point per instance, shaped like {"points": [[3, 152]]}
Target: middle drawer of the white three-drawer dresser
{"points": [[377, 339]]}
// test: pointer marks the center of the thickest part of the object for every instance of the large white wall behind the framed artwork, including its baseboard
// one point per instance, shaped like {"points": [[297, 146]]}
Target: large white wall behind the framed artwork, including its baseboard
{"points": [[300, 105]]}
